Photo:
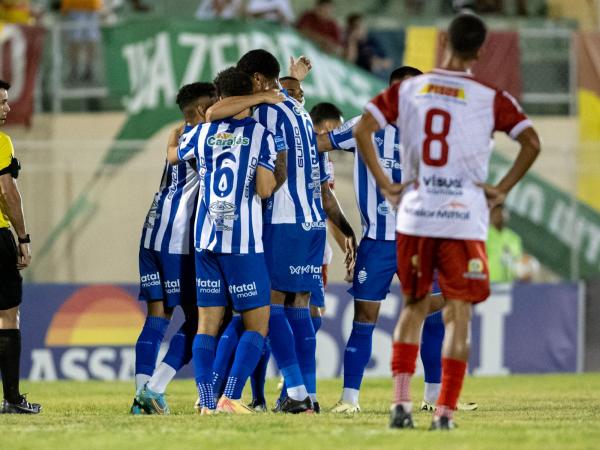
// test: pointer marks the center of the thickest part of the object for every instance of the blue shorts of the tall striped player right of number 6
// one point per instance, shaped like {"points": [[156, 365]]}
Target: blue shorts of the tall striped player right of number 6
{"points": [[294, 256]]}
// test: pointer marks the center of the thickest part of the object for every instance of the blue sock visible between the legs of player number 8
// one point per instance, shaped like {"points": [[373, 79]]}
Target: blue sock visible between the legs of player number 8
{"points": [[431, 347]]}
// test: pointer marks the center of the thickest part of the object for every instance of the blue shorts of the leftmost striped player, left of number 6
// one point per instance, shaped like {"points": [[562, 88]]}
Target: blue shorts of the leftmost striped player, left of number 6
{"points": [[168, 277]]}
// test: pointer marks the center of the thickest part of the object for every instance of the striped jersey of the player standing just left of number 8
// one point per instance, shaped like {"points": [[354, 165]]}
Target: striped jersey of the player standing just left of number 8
{"points": [[378, 217]]}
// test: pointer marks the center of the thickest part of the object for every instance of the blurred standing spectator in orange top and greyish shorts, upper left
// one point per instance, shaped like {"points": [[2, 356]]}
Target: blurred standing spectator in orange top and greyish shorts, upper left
{"points": [[83, 33]]}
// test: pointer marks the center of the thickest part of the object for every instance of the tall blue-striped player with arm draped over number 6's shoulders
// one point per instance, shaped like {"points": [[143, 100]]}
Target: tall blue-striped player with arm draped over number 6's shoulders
{"points": [[294, 228]]}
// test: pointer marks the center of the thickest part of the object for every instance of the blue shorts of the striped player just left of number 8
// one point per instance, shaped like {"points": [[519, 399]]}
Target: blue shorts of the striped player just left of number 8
{"points": [[375, 269]]}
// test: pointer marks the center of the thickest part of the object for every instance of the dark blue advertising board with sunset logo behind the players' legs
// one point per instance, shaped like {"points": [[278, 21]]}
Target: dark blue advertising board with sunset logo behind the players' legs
{"points": [[88, 332]]}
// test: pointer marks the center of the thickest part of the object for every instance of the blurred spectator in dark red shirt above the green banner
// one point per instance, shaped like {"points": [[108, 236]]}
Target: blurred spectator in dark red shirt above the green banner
{"points": [[319, 25]]}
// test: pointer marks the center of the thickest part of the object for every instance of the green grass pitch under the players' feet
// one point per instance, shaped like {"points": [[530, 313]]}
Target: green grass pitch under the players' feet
{"points": [[525, 412]]}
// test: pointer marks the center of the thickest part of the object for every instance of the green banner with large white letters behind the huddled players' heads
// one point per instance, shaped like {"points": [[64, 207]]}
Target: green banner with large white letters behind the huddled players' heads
{"points": [[148, 61]]}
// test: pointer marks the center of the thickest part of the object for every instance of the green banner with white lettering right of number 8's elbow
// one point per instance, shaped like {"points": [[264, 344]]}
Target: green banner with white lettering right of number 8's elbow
{"points": [[561, 232]]}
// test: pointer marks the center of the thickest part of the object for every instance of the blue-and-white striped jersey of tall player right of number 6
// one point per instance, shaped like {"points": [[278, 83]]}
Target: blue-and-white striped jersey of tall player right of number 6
{"points": [[299, 198]]}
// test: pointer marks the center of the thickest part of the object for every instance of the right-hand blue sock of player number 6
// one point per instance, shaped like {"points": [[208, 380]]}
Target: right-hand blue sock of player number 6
{"points": [[247, 355]]}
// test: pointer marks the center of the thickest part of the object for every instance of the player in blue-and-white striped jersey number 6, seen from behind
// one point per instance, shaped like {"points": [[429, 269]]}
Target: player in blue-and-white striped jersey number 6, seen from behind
{"points": [[236, 163]]}
